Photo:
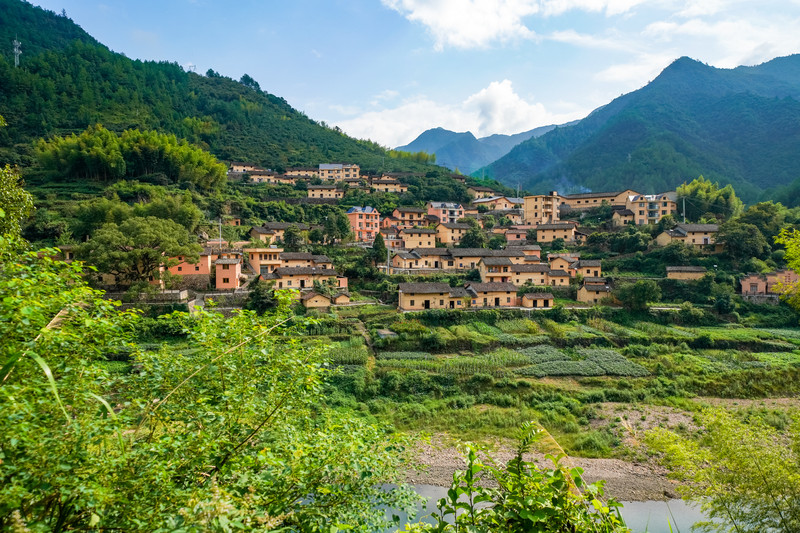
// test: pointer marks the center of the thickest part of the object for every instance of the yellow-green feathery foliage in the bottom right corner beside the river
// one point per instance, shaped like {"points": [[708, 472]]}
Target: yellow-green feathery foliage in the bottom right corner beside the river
{"points": [[743, 473]]}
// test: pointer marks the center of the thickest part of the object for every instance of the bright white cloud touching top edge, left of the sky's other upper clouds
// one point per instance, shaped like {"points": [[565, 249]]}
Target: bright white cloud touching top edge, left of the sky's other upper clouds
{"points": [[469, 23]]}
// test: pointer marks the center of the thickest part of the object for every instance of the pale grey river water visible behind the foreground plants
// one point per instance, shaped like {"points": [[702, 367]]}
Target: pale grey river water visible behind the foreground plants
{"points": [[649, 516]]}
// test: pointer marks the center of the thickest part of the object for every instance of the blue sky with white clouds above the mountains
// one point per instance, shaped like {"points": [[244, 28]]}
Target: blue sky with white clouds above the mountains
{"points": [[387, 70]]}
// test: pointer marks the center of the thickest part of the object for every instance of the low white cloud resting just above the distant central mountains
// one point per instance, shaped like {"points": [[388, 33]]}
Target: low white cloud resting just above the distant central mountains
{"points": [[494, 109]]}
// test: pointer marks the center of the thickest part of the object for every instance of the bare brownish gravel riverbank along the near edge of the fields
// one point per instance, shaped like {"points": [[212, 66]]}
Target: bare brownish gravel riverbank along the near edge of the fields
{"points": [[625, 481]]}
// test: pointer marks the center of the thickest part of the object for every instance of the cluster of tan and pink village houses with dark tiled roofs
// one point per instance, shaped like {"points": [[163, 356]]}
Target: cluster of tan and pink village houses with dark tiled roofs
{"points": [[424, 240]]}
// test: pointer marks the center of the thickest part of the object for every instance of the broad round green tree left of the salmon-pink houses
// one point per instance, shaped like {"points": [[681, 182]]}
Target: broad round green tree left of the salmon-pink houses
{"points": [[137, 248]]}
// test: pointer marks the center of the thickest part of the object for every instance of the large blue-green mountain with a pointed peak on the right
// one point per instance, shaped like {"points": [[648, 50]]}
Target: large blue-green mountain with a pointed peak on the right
{"points": [[739, 126]]}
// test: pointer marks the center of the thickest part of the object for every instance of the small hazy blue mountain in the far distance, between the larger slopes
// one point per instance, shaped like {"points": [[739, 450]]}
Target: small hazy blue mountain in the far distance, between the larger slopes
{"points": [[466, 152]]}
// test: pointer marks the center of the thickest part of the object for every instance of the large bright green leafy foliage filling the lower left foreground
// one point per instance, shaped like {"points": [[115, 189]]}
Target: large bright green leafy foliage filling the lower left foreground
{"points": [[232, 435]]}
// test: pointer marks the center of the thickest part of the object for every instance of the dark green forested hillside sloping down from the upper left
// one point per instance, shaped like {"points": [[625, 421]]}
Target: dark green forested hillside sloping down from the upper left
{"points": [[68, 81]]}
